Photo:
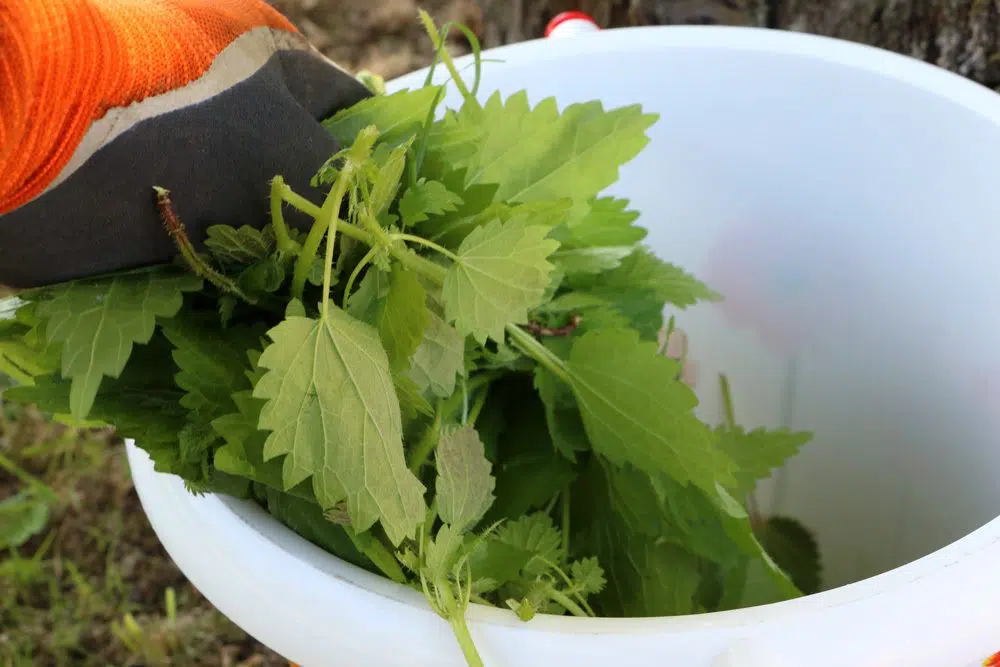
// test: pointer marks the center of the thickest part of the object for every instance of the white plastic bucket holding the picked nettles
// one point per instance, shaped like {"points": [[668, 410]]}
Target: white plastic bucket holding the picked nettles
{"points": [[847, 201]]}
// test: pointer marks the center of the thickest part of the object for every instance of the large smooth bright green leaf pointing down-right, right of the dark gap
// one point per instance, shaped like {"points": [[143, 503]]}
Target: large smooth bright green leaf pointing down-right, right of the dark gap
{"points": [[636, 411]]}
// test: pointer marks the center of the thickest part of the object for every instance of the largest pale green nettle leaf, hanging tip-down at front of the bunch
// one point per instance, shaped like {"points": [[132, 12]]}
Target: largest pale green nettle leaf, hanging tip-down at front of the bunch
{"points": [[333, 411]]}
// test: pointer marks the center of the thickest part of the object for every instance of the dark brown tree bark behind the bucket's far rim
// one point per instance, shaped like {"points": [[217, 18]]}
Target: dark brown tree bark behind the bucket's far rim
{"points": [[960, 35]]}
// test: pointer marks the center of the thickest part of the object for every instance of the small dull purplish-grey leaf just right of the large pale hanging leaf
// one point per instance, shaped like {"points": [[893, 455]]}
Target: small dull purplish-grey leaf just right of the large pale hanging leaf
{"points": [[464, 483]]}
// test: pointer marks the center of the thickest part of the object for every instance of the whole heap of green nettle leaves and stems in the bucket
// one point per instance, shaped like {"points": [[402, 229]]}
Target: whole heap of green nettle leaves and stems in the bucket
{"points": [[452, 375]]}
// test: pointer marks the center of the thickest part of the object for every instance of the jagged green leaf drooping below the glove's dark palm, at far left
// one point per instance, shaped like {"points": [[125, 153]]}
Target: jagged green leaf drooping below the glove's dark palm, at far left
{"points": [[99, 321]]}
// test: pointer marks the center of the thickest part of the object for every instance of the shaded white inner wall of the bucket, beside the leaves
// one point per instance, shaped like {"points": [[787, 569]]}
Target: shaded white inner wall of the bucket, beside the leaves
{"points": [[850, 218]]}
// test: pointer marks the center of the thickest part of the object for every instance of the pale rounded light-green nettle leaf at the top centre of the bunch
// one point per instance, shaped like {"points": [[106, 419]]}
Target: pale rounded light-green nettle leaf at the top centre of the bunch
{"points": [[501, 272]]}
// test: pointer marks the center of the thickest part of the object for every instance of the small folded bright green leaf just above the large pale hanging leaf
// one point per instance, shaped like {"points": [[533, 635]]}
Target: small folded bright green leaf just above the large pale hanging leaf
{"points": [[402, 317]]}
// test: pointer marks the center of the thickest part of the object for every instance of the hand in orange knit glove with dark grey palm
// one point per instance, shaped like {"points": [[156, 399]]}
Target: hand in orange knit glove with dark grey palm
{"points": [[100, 100]]}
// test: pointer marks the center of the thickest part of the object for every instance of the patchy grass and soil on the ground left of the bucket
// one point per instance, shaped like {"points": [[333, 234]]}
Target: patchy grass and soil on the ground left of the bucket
{"points": [[88, 583]]}
